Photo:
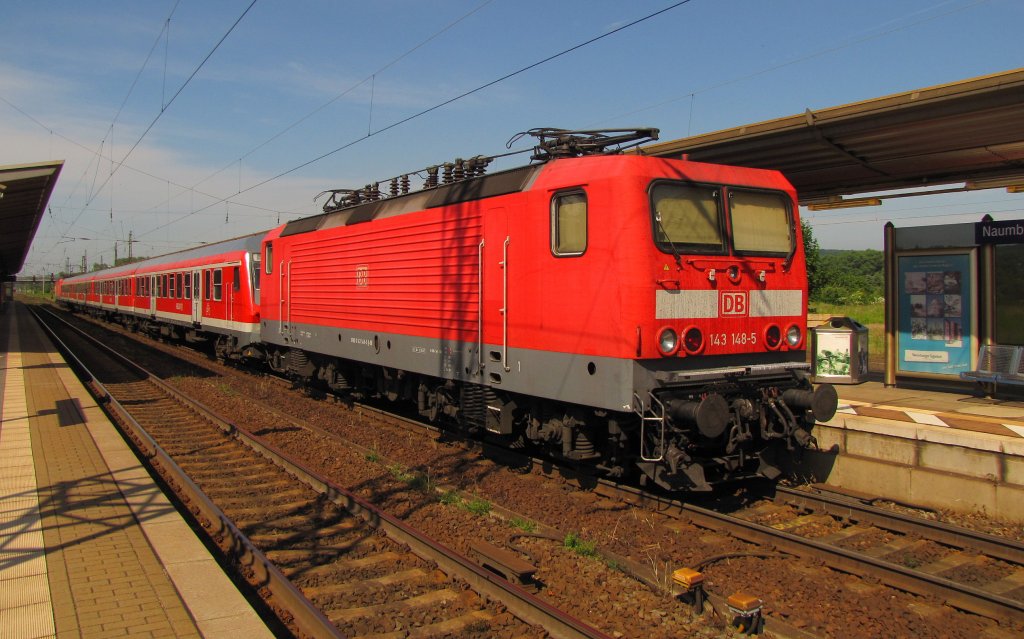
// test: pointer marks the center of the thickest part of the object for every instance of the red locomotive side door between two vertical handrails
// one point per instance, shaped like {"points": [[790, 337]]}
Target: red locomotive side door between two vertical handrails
{"points": [[495, 268]]}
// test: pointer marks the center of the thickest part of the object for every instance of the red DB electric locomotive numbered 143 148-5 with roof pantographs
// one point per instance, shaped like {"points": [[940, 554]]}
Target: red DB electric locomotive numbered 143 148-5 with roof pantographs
{"points": [[628, 313]]}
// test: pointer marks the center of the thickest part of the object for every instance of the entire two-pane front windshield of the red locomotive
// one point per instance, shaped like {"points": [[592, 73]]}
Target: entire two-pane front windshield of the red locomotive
{"points": [[690, 219]]}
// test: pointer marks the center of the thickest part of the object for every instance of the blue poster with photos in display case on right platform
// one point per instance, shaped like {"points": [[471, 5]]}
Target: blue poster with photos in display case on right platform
{"points": [[935, 314]]}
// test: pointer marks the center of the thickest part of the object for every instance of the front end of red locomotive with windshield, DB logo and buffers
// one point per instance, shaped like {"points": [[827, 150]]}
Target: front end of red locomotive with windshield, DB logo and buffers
{"points": [[728, 393]]}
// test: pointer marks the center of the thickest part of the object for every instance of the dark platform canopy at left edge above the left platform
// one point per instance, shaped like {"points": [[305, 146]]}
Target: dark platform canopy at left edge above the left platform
{"points": [[25, 191]]}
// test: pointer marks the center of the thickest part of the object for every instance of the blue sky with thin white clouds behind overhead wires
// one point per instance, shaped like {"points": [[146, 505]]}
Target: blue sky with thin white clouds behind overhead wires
{"points": [[209, 154]]}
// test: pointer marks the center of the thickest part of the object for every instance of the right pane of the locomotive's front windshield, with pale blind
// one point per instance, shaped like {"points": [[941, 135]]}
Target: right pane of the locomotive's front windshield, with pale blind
{"points": [[761, 223]]}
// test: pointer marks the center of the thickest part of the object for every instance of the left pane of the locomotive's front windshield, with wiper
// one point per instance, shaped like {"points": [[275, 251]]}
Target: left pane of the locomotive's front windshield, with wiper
{"points": [[687, 219]]}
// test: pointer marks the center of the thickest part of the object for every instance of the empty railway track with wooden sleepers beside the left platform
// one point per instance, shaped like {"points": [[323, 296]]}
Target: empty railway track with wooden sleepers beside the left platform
{"points": [[333, 565]]}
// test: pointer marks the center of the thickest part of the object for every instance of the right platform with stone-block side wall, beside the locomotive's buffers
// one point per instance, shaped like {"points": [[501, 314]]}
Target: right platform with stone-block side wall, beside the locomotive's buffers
{"points": [[945, 448]]}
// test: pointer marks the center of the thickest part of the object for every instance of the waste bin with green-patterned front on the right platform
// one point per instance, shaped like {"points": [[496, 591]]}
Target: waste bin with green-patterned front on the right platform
{"points": [[840, 348]]}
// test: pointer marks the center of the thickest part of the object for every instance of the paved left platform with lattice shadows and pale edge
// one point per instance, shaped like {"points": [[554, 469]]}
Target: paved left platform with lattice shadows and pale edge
{"points": [[90, 545]]}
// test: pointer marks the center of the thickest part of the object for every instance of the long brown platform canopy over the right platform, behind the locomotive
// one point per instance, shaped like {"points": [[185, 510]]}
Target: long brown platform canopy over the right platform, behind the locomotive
{"points": [[968, 132]]}
